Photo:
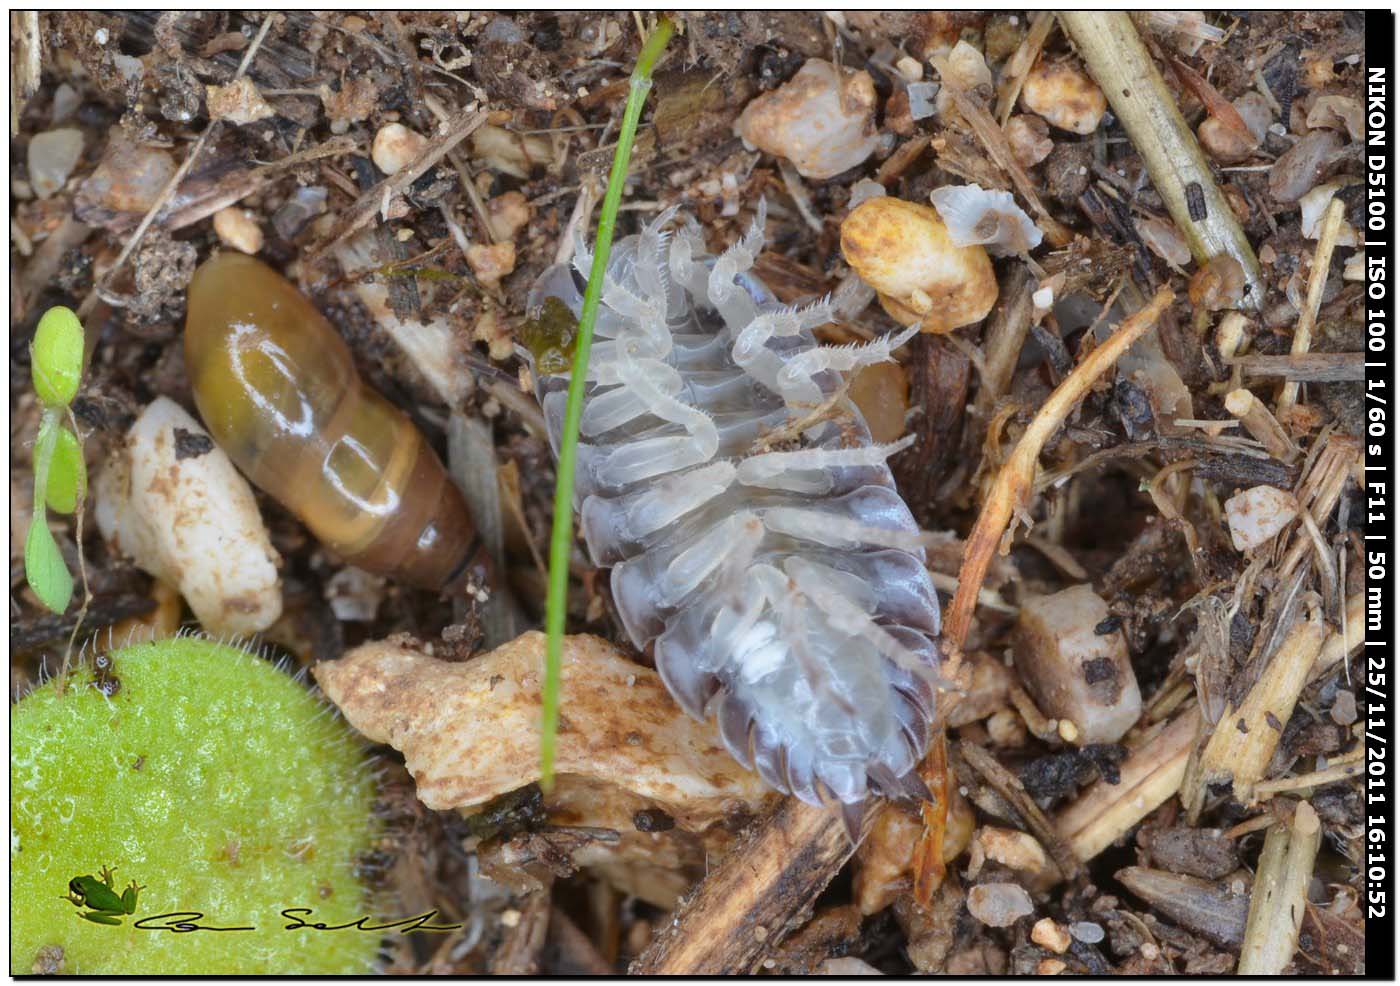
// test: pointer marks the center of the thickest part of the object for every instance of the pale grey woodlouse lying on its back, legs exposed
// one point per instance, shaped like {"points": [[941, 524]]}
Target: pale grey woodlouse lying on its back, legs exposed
{"points": [[765, 561]]}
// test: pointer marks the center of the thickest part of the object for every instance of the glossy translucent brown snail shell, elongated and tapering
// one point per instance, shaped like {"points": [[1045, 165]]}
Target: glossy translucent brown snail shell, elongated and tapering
{"points": [[279, 393]]}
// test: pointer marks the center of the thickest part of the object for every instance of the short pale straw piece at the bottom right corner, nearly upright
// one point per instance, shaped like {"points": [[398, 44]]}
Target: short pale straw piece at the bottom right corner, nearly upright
{"points": [[1280, 896]]}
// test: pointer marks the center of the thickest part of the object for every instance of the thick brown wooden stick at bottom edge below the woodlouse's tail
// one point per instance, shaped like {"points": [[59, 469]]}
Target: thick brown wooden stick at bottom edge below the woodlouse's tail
{"points": [[764, 889]]}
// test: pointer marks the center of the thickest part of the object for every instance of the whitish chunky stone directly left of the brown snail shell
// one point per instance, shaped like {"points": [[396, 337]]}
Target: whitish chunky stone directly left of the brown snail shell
{"points": [[173, 502]]}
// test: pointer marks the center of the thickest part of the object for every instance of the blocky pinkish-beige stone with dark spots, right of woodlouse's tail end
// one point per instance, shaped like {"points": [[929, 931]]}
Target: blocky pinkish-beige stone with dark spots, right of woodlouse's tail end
{"points": [[1076, 666]]}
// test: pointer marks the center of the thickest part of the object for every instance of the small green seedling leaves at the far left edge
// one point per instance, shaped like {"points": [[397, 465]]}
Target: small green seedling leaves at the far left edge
{"points": [[59, 474]]}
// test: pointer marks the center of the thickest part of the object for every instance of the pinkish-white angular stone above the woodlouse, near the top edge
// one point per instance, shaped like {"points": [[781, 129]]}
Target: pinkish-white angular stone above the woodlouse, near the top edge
{"points": [[822, 121]]}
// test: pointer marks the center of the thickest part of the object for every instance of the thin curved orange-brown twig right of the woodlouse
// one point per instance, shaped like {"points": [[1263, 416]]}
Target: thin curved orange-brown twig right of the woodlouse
{"points": [[1014, 482]]}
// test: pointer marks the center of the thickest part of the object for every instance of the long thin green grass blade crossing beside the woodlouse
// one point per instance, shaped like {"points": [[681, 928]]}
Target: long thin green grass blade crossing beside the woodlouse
{"points": [[562, 537]]}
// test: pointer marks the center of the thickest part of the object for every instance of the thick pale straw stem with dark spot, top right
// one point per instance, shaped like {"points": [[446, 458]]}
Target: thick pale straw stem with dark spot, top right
{"points": [[1119, 62]]}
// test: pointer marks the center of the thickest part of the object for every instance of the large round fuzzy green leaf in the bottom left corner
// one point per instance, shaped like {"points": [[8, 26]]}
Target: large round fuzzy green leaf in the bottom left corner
{"points": [[218, 779]]}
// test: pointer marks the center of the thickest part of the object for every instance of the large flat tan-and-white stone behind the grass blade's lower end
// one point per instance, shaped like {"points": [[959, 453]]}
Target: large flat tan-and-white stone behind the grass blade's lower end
{"points": [[471, 732]]}
